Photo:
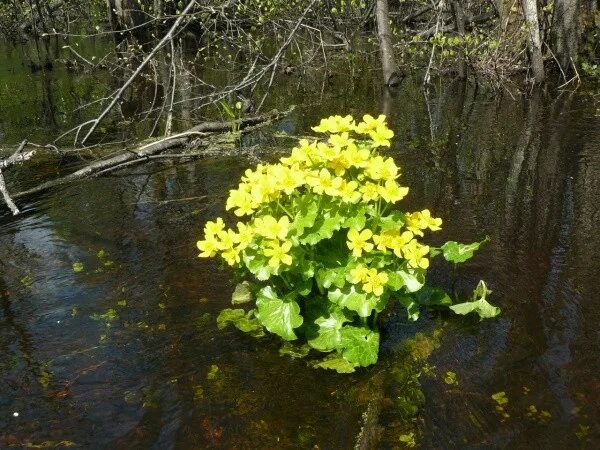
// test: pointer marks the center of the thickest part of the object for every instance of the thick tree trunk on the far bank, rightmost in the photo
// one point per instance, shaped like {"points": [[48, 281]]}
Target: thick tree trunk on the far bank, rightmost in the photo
{"points": [[566, 27]]}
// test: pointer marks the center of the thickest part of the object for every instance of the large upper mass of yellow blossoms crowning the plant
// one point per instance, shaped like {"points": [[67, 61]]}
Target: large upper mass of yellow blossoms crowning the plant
{"points": [[343, 168]]}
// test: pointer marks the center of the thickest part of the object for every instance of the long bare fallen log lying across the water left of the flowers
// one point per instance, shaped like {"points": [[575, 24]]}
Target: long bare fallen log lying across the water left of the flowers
{"points": [[148, 151]]}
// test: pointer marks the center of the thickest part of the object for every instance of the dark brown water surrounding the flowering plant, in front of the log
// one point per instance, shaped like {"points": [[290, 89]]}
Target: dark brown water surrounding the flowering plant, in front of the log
{"points": [[121, 350]]}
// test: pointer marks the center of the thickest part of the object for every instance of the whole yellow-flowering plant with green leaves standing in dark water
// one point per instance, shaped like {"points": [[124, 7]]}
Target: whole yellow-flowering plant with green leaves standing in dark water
{"points": [[326, 247]]}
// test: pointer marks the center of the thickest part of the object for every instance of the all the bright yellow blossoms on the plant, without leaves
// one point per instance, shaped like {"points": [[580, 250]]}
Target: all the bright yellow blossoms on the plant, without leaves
{"points": [[345, 168]]}
